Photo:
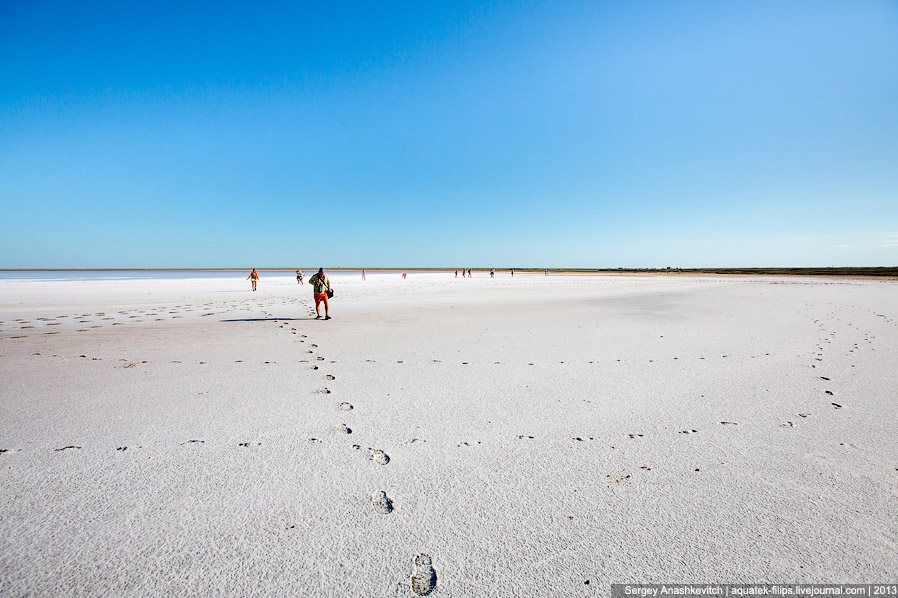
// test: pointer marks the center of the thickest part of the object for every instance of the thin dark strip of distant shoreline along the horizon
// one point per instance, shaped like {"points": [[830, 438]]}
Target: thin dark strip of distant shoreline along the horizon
{"points": [[834, 271]]}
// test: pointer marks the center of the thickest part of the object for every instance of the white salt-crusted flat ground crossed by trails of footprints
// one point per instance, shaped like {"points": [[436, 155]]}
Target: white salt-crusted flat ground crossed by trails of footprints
{"points": [[530, 434]]}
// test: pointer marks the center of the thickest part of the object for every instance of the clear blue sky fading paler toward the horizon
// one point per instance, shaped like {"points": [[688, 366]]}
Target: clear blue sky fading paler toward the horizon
{"points": [[581, 134]]}
